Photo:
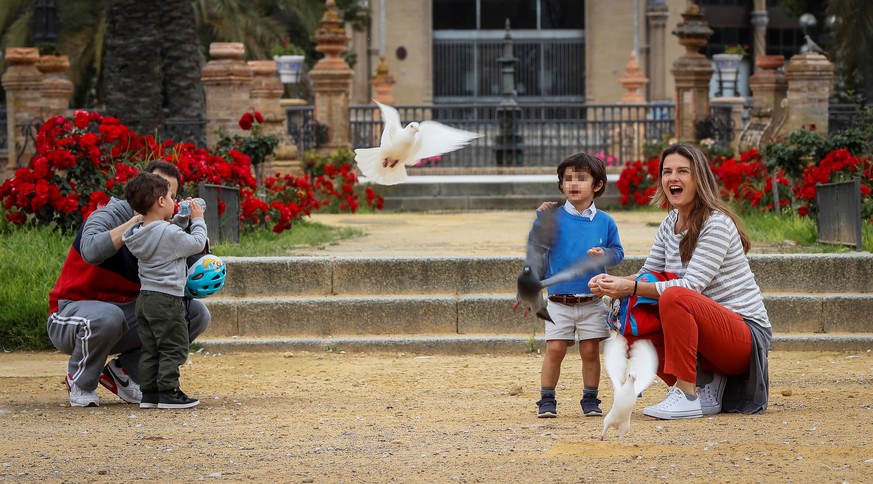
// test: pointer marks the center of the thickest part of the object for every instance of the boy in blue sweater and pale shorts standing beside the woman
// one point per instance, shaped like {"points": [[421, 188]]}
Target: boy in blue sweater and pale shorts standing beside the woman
{"points": [[581, 231]]}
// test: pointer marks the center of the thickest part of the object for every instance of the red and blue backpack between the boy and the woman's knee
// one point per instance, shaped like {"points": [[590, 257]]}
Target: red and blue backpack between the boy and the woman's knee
{"points": [[637, 315]]}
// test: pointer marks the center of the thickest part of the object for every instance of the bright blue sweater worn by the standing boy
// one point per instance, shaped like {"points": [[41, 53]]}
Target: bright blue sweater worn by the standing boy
{"points": [[575, 235]]}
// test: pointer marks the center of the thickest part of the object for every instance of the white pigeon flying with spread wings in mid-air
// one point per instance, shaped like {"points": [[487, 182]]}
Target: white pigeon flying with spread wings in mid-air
{"points": [[403, 146]]}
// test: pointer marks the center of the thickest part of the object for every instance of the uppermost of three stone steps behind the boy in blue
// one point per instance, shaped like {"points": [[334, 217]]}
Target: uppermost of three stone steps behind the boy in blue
{"points": [[300, 276]]}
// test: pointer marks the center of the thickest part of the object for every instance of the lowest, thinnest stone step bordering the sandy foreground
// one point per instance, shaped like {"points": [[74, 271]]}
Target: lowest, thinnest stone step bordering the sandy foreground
{"points": [[438, 344]]}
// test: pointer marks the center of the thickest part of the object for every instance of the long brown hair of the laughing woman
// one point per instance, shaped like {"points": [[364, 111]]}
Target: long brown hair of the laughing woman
{"points": [[707, 200]]}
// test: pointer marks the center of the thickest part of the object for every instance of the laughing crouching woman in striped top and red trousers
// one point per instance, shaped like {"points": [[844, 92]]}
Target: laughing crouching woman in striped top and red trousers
{"points": [[715, 333]]}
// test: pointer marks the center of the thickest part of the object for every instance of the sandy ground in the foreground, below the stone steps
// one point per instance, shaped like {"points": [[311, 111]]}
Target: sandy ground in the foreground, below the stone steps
{"points": [[333, 417]]}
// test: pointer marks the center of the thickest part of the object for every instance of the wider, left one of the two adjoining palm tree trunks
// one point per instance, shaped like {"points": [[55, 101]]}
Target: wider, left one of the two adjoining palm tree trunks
{"points": [[132, 64]]}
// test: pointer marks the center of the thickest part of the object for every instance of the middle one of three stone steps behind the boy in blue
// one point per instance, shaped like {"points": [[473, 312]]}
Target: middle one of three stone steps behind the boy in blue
{"points": [[323, 316]]}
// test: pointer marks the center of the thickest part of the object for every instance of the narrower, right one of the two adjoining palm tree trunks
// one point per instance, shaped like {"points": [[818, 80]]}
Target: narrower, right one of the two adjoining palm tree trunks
{"points": [[184, 105]]}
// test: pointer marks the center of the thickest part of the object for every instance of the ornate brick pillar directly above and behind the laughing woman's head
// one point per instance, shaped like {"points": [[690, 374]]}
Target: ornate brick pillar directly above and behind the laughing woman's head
{"points": [[692, 72]]}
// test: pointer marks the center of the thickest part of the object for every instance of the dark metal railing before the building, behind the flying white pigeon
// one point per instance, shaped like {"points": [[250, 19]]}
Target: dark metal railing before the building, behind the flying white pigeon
{"points": [[549, 132]]}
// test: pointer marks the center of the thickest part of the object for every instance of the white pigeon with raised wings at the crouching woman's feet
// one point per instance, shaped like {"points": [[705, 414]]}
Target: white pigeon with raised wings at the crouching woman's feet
{"points": [[629, 378]]}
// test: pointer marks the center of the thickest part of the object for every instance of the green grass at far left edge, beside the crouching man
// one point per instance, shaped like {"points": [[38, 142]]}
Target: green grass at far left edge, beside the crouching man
{"points": [[30, 261]]}
